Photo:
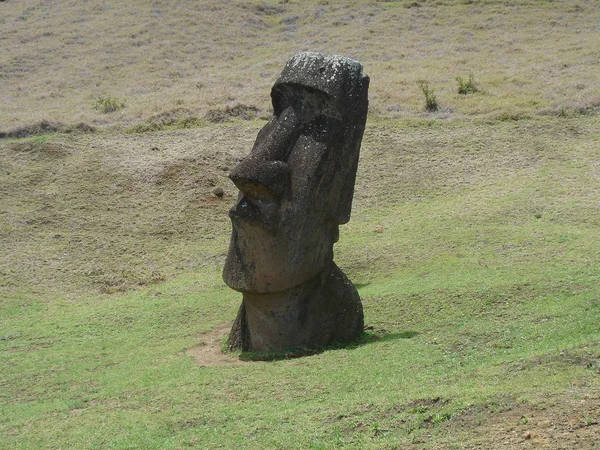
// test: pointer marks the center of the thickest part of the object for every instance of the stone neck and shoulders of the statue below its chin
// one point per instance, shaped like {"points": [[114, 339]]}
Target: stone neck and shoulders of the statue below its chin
{"points": [[322, 311]]}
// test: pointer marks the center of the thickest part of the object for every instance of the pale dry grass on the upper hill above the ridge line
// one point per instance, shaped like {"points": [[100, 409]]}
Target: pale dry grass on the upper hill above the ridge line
{"points": [[528, 57]]}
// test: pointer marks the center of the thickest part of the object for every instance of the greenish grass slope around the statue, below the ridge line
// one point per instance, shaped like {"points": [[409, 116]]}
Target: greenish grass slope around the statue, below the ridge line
{"points": [[474, 247]]}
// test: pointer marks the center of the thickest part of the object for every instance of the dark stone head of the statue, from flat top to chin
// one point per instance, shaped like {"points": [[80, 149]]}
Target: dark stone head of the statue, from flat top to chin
{"points": [[297, 183]]}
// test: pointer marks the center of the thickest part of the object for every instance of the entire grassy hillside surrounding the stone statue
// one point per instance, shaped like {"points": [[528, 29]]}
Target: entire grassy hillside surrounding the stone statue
{"points": [[473, 240]]}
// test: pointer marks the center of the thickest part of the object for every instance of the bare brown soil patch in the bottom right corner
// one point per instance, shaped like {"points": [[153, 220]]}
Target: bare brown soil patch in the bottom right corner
{"points": [[565, 424]]}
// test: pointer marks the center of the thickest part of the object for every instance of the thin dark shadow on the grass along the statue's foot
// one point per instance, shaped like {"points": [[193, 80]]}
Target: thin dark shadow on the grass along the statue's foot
{"points": [[370, 335]]}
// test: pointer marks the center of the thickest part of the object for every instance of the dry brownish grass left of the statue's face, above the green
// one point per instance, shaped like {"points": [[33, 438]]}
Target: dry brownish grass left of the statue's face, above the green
{"points": [[113, 210]]}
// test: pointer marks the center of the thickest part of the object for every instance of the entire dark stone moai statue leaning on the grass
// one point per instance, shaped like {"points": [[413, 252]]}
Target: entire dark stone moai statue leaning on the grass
{"points": [[296, 188]]}
